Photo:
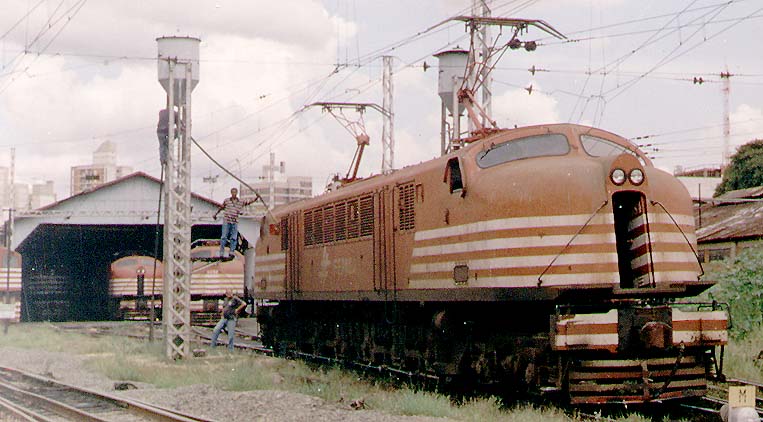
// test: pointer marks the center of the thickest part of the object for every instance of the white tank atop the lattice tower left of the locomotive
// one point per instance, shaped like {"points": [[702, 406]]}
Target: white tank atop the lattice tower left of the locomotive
{"points": [[183, 50]]}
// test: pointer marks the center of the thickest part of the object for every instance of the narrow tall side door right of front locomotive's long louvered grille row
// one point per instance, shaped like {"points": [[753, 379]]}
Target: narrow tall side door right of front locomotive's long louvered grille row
{"points": [[384, 249]]}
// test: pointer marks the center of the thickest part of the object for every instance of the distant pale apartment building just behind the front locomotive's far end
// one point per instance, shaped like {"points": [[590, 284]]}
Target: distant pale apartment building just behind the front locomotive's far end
{"points": [[276, 188]]}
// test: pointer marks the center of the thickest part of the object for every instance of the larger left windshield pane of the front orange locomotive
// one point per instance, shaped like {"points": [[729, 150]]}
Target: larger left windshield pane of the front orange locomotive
{"points": [[529, 147]]}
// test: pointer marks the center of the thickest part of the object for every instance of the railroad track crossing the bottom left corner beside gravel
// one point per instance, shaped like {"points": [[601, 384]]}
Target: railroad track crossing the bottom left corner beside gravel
{"points": [[29, 397]]}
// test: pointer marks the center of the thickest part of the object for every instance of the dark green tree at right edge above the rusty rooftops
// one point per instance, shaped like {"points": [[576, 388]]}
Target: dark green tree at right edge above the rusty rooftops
{"points": [[745, 169]]}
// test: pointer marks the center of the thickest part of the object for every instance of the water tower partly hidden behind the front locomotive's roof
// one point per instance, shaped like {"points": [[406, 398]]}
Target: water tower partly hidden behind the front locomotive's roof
{"points": [[452, 68]]}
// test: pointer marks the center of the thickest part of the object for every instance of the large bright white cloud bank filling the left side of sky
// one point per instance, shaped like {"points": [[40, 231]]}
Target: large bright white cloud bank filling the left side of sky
{"points": [[245, 47]]}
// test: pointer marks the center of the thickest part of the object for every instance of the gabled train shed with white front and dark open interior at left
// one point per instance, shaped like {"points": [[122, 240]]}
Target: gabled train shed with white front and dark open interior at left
{"points": [[67, 247]]}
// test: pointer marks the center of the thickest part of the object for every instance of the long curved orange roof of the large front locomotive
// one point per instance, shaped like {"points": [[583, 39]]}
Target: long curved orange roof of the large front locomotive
{"points": [[368, 184]]}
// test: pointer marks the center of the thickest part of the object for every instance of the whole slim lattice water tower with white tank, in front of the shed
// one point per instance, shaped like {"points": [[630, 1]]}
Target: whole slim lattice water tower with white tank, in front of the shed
{"points": [[178, 66]]}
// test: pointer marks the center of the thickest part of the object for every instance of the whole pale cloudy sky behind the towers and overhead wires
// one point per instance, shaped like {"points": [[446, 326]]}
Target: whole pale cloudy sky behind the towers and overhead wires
{"points": [[74, 73]]}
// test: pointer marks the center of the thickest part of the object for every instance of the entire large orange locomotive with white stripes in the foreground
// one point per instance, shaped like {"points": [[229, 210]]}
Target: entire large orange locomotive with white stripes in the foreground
{"points": [[542, 258]]}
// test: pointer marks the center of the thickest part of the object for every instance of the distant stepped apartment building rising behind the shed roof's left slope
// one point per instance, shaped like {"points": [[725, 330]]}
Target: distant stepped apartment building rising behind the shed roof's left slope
{"points": [[103, 170]]}
